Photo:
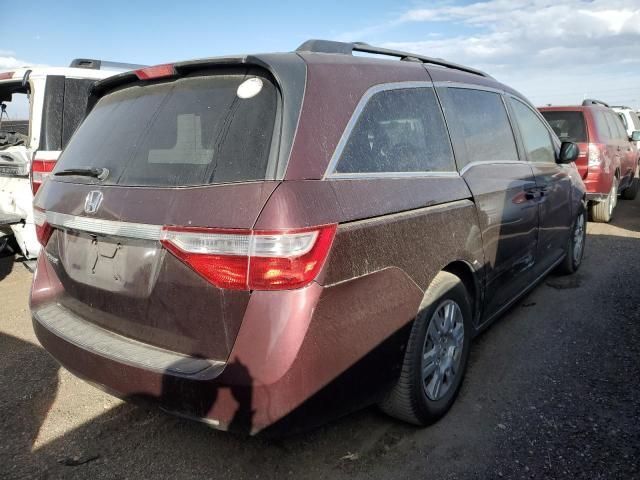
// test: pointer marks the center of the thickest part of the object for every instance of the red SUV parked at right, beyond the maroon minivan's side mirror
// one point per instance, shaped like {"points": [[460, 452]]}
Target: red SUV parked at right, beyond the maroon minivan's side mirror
{"points": [[608, 161]]}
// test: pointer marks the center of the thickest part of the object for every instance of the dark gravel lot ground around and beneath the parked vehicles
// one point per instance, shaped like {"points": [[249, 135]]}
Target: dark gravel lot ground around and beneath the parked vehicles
{"points": [[552, 391]]}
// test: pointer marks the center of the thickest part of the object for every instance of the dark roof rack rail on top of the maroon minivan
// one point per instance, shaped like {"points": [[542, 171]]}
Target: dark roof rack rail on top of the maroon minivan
{"points": [[347, 48]]}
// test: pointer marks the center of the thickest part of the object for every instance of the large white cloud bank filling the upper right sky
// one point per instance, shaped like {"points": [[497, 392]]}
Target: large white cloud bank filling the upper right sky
{"points": [[577, 45]]}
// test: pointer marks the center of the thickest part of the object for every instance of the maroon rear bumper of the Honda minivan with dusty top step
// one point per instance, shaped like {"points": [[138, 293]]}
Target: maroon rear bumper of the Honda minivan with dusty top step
{"points": [[298, 360]]}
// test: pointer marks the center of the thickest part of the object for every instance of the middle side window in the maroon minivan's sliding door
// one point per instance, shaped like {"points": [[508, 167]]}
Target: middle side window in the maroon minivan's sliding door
{"points": [[479, 125]]}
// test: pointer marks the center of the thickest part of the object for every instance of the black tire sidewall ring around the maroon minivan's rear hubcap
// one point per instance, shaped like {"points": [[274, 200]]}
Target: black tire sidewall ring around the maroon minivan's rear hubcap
{"points": [[426, 409]]}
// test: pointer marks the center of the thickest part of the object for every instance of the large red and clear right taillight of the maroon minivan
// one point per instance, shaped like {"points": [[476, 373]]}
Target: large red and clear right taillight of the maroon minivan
{"points": [[252, 259]]}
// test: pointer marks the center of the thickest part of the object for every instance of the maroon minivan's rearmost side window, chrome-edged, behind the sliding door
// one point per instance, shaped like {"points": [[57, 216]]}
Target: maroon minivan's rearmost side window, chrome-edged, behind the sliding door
{"points": [[399, 131]]}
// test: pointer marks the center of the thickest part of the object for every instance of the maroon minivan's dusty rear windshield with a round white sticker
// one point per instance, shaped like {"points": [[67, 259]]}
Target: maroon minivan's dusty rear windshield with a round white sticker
{"points": [[192, 131]]}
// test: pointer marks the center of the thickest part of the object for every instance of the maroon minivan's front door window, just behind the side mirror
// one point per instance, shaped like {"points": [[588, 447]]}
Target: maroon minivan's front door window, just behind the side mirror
{"points": [[535, 135]]}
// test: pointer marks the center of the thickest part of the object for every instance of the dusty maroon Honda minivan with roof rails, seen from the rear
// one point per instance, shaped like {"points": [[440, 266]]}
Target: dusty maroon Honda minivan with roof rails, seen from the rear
{"points": [[266, 242]]}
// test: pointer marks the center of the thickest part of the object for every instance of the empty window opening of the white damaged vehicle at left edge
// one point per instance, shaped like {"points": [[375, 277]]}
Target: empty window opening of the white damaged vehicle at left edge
{"points": [[14, 115]]}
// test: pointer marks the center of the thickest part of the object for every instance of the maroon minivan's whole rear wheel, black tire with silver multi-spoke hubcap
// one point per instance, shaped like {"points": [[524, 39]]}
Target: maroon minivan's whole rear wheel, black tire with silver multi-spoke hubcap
{"points": [[415, 398]]}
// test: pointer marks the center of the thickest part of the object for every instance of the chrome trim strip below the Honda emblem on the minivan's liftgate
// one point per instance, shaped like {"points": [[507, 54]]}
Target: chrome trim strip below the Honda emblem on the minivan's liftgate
{"points": [[99, 226]]}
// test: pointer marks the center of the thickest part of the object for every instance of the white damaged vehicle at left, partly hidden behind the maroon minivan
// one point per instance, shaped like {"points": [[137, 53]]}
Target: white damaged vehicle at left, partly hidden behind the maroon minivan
{"points": [[41, 108]]}
